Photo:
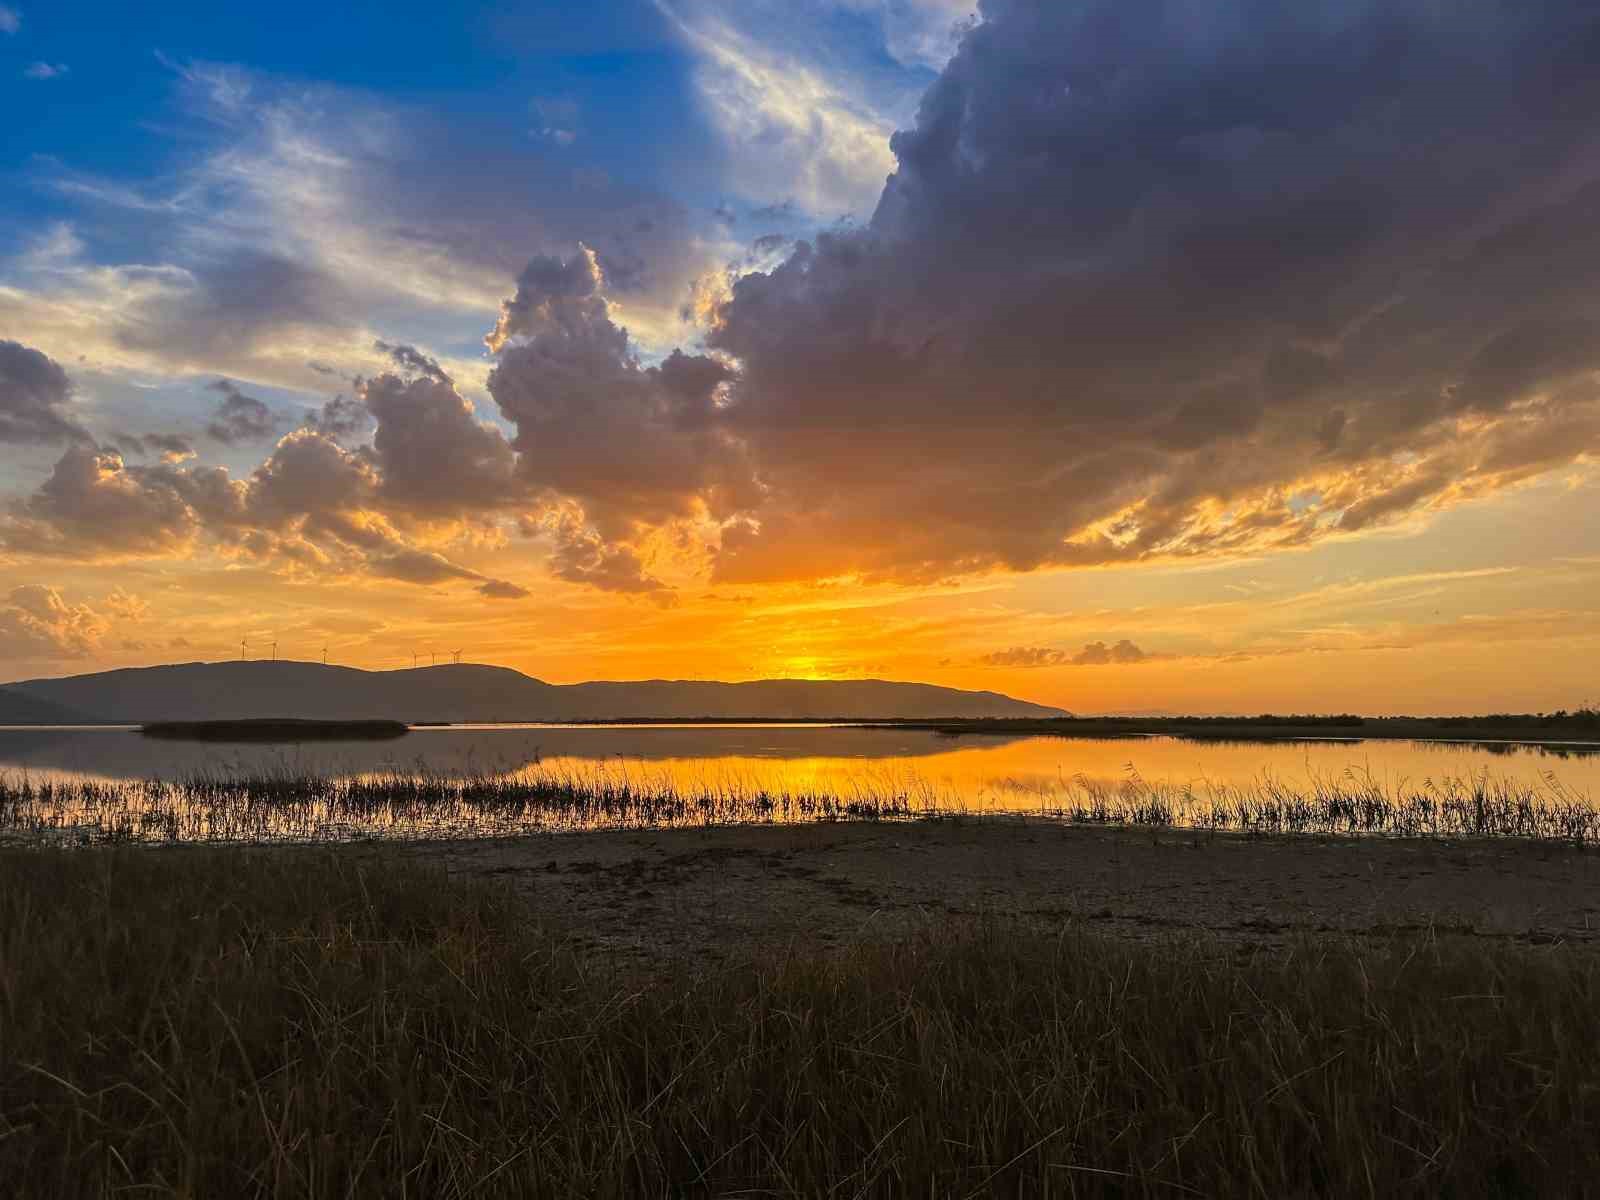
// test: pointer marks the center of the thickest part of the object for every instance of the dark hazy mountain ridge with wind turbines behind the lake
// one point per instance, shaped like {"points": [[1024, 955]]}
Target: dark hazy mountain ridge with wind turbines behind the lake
{"points": [[479, 694]]}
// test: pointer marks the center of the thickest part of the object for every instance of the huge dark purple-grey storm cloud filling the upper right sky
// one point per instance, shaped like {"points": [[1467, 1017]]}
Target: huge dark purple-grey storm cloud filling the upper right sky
{"points": [[1151, 281]]}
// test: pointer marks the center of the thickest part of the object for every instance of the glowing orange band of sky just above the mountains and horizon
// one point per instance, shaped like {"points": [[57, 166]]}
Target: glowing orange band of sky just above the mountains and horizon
{"points": [[1484, 607]]}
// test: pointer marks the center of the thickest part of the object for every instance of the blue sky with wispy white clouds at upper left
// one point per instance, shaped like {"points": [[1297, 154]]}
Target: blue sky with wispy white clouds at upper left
{"points": [[161, 143]]}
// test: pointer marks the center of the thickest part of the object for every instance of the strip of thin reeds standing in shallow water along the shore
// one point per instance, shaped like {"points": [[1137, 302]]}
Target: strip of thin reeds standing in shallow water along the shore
{"points": [[290, 806]]}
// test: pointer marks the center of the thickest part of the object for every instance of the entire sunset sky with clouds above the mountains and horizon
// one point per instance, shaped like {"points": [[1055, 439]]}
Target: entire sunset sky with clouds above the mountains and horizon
{"points": [[1206, 356]]}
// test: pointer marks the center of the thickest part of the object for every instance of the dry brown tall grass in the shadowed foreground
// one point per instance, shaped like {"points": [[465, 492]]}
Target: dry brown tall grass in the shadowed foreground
{"points": [[338, 1023]]}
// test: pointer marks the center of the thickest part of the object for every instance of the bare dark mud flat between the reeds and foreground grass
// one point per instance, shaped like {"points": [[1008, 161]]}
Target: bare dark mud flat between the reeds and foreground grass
{"points": [[716, 895]]}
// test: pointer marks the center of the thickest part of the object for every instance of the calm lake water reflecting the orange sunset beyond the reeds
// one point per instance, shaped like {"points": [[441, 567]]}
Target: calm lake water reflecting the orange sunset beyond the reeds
{"points": [[983, 774]]}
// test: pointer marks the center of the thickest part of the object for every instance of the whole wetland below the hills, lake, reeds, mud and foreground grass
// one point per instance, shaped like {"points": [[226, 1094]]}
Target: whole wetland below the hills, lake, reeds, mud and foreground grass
{"points": [[798, 962]]}
